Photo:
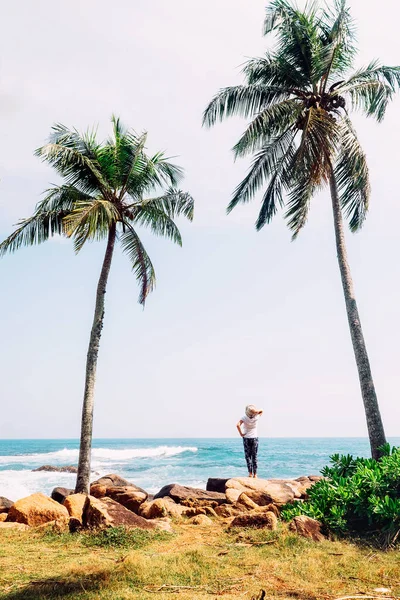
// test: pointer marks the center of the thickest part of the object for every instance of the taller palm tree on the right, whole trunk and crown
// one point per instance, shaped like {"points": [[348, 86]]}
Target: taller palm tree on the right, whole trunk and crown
{"points": [[298, 97]]}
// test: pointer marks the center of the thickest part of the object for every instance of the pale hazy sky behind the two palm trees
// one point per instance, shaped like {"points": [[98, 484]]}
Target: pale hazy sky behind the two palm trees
{"points": [[237, 316]]}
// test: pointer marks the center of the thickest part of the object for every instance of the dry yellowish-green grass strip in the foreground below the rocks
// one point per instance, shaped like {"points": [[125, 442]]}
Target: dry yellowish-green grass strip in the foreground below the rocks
{"points": [[194, 563]]}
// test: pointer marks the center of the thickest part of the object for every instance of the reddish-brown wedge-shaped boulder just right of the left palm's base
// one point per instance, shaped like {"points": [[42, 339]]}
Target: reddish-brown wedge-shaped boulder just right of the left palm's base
{"points": [[109, 513]]}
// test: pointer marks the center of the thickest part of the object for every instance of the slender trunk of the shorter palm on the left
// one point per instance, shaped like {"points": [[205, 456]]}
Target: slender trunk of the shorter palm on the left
{"points": [[83, 477]]}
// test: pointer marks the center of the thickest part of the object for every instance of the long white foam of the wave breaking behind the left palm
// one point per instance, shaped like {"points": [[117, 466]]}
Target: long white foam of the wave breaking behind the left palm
{"points": [[98, 454]]}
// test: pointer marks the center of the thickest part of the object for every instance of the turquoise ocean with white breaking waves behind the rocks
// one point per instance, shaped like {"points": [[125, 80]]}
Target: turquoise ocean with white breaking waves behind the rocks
{"points": [[152, 463]]}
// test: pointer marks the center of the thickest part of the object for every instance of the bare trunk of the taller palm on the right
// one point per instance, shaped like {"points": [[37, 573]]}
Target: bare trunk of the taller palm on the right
{"points": [[374, 421]]}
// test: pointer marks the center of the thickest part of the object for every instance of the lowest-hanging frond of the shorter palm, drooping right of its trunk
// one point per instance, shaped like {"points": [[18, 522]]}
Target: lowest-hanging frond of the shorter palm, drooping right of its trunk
{"points": [[141, 263]]}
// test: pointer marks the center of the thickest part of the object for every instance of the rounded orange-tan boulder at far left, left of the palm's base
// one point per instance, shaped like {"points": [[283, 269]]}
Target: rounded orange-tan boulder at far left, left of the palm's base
{"points": [[37, 509]]}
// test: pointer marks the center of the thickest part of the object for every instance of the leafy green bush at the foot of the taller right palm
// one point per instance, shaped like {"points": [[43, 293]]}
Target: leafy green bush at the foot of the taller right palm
{"points": [[360, 496]]}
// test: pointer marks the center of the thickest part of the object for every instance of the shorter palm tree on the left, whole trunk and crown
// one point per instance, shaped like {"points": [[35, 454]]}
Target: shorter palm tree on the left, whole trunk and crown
{"points": [[104, 196]]}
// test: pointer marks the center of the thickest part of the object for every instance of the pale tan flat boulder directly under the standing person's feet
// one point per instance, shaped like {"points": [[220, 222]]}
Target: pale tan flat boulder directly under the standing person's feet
{"points": [[261, 491]]}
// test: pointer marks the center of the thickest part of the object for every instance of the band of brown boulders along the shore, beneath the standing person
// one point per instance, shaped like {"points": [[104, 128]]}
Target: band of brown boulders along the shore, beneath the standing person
{"points": [[114, 502]]}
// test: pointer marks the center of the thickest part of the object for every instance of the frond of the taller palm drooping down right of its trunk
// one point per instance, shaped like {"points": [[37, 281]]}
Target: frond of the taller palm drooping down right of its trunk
{"points": [[352, 177]]}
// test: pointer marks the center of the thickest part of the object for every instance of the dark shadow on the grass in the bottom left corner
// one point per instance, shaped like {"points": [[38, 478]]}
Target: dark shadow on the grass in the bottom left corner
{"points": [[70, 586]]}
